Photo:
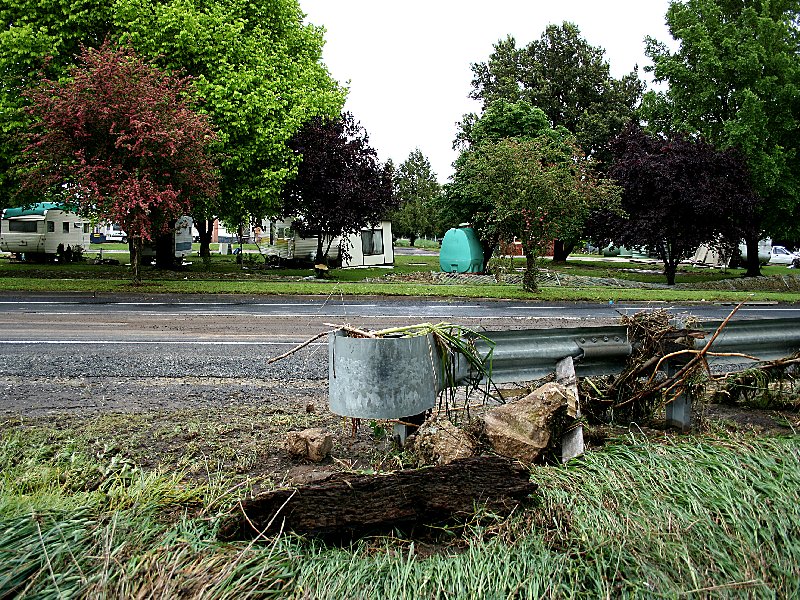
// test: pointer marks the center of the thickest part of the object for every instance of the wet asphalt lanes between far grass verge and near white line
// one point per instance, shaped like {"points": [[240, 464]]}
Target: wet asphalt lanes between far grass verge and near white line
{"points": [[44, 319]]}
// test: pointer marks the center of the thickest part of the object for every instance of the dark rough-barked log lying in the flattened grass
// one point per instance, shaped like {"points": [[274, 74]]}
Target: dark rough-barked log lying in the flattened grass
{"points": [[347, 505]]}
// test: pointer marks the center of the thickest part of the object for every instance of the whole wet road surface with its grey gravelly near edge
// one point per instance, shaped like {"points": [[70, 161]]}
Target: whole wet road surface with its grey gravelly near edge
{"points": [[72, 351]]}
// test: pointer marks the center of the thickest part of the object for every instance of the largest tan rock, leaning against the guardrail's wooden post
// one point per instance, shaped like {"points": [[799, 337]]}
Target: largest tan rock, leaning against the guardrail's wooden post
{"points": [[524, 429]]}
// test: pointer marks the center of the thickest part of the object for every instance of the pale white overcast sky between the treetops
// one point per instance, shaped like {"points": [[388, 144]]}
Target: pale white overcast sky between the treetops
{"points": [[407, 63]]}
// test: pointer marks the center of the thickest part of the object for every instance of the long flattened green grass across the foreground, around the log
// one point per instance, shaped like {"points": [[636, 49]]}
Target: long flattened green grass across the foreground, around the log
{"points": [[713, 515]]}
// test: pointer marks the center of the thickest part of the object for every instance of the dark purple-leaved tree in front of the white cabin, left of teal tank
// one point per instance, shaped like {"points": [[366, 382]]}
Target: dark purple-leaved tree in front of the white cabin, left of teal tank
{"points": [[340, 185]]}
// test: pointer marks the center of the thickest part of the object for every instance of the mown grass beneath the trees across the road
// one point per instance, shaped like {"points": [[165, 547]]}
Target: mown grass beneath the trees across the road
{"points": [[409, 277]]}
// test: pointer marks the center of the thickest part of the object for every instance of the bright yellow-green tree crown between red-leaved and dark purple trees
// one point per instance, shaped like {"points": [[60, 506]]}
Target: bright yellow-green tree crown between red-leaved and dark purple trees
{"points": [[258, 69]]}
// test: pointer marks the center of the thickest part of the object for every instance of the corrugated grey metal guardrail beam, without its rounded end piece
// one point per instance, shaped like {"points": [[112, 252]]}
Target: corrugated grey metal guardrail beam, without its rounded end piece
{"points": [[529, 354]]}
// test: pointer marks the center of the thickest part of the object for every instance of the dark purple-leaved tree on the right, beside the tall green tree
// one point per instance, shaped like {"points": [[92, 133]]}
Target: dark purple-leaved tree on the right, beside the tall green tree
{"points": [[677, 193]]}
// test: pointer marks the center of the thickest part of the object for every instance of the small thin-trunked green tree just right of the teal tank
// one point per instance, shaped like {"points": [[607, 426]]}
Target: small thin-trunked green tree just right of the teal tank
{"points": [[537, 190]]}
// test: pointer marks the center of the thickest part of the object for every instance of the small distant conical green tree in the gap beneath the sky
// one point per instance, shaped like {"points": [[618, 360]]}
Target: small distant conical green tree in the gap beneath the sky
{"points": [[416, 189]]}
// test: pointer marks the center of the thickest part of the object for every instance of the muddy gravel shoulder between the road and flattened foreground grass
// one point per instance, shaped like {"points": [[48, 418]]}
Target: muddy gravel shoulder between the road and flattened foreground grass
{"points": [[234, 429]]}
